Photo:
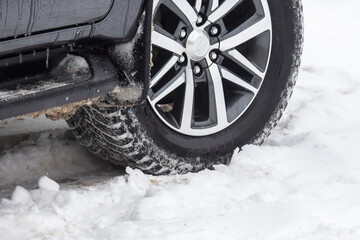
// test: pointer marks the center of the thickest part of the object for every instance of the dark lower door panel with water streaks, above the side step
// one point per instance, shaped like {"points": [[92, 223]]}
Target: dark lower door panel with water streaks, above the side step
{"points": [[24, 17]]}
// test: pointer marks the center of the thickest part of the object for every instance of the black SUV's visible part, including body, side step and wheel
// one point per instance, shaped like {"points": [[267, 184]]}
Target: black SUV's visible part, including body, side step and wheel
{"points": [[166, 86]]}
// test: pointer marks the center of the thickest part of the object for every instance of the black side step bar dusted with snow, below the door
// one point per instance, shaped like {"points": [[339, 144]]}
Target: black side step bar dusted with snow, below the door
{"points": [[105, 78]]}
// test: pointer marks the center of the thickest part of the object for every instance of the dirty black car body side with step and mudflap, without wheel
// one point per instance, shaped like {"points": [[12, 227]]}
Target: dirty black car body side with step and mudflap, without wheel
{"points": [[36, 35]]}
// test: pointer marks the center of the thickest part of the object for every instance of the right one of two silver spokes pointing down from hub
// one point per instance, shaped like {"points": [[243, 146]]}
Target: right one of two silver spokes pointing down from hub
{"points": [[219, 95]]}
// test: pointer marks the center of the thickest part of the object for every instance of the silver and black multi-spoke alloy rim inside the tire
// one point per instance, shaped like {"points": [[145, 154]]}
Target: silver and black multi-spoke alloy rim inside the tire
{"points": [[210, 60]]}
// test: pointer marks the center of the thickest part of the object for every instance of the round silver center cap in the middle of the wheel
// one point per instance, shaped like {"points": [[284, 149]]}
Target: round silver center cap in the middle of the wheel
{"points": [[198, 45]]}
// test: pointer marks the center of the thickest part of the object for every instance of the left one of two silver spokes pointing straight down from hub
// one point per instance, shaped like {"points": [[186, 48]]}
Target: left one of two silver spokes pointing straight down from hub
{"points": [[188, 107]]}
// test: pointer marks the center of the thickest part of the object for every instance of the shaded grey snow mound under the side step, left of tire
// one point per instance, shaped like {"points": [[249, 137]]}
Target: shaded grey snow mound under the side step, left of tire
{"points": [[49, 153]]}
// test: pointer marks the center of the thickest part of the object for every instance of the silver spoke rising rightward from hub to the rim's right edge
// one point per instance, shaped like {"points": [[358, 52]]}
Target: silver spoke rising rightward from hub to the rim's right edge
{"points": [[247, 34]]}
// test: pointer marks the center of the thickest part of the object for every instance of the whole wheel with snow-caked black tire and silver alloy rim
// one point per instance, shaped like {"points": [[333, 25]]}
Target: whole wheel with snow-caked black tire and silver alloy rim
{"points": [[151, 137]]}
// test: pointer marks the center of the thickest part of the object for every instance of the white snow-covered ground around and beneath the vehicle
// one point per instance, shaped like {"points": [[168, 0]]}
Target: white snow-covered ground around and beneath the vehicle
{"points": [[302, 184]]}
